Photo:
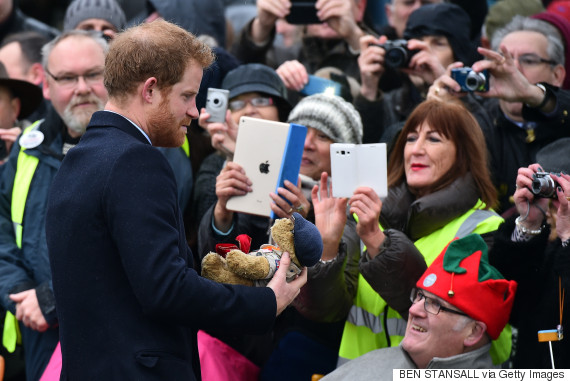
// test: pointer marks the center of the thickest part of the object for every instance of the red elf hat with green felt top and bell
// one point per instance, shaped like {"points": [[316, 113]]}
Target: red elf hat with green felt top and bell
{"points": [[462, 276]]}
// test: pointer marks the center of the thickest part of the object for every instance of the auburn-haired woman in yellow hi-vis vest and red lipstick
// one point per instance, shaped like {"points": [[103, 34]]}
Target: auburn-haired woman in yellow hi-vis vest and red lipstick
{"points": [[439, 188]]}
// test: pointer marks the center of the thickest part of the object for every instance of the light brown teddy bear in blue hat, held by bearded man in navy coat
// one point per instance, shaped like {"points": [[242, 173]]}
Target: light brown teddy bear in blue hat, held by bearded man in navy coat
{"points": [[299, 237]]}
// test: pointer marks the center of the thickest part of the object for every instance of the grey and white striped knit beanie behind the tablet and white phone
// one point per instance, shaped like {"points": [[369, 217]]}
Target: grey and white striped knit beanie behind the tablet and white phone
{"points": [[331, 115]]}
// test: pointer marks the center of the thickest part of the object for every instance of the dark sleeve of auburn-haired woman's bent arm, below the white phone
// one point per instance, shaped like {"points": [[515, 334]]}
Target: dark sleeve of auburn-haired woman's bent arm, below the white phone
{"points": [[394, 272]]}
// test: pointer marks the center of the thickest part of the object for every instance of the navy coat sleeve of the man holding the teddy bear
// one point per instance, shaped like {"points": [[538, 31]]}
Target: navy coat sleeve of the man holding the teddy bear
{"points": [[148, 240]]}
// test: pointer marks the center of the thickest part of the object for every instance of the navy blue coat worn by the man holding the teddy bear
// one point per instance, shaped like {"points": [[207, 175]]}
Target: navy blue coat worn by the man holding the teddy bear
{"points": [[128, 301]]}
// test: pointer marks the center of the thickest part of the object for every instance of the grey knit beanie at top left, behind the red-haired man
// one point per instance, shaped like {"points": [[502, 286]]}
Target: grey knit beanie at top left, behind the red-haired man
{"points": [[80, 10]]}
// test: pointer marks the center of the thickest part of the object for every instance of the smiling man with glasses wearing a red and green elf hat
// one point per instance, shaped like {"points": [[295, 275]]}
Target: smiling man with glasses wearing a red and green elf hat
{"points": [[460, 304]]}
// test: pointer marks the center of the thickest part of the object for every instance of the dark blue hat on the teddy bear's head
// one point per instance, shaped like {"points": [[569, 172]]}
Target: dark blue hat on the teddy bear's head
{"points": [[307, 240]]}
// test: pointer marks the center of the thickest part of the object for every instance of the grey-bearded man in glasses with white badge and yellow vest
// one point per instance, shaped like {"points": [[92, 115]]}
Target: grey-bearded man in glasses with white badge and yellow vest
{"points": [[74, 63]]}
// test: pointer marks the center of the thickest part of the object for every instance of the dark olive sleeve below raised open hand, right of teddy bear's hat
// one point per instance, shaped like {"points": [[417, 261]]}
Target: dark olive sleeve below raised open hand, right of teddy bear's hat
{"points": [[331, 286]]}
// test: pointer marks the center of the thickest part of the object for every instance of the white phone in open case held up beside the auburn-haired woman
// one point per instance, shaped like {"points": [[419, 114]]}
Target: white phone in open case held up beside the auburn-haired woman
{"points": [[358, 165]]}
